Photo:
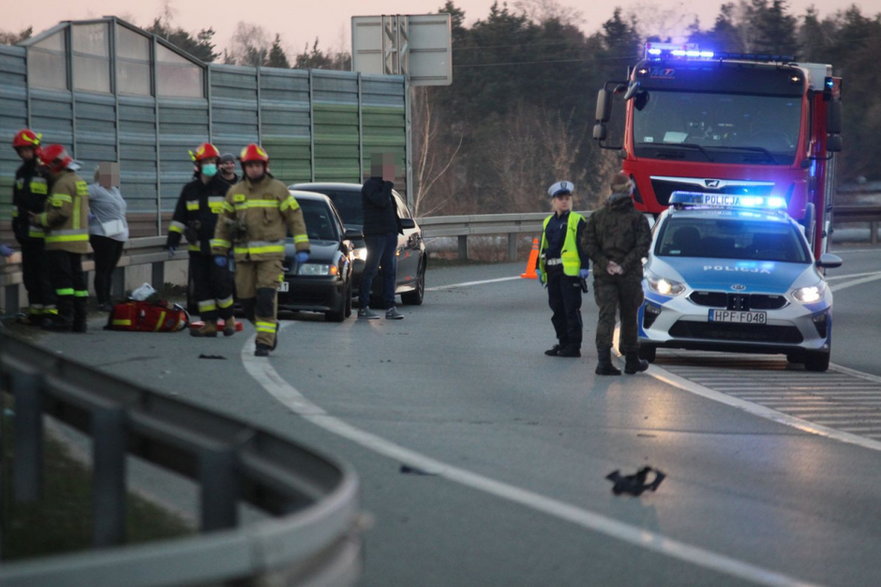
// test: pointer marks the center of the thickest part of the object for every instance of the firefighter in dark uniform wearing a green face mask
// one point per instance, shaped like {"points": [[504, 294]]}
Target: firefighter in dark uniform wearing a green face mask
{"points": [[195, 216]]}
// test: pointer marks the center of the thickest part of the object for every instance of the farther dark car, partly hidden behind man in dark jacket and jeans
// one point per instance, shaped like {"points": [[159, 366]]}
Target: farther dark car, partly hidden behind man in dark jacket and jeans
{"points": [[412, 258]]}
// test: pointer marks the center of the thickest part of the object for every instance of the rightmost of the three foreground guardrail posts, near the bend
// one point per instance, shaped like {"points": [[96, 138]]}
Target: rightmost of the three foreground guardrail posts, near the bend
{"points": [[219, 489]]}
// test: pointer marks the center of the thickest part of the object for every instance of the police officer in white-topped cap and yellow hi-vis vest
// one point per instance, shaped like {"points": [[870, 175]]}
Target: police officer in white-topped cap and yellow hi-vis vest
{"points": [[562, 268]]}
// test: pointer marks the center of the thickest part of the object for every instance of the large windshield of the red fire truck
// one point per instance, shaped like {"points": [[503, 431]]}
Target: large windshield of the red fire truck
{"points": [[720, 128]]}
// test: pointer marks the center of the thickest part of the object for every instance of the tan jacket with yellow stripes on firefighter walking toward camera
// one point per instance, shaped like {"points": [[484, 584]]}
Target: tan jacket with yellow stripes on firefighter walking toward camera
{"points": [[256, 219]]}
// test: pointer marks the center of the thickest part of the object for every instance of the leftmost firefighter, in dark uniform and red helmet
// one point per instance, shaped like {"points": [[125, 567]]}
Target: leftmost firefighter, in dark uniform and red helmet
{"points": [[29, 194]]}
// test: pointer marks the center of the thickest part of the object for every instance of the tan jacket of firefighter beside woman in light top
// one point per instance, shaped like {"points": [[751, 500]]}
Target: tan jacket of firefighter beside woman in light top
{"points": [[66, 216]]}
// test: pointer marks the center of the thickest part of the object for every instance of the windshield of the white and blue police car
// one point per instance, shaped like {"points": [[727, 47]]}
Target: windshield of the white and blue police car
{"points": [[731, 238]]}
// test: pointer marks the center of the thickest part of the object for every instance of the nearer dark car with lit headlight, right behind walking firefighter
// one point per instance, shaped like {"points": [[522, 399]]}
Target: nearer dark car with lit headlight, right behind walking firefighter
{"points": [[324, 282]]}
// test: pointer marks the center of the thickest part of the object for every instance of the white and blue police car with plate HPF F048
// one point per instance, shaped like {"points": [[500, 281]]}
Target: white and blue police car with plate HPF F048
{"points": [[735, 273]]}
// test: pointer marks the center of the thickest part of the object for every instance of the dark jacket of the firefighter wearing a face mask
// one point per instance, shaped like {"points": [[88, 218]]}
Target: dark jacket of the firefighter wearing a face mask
{"points": [[196, 212]]}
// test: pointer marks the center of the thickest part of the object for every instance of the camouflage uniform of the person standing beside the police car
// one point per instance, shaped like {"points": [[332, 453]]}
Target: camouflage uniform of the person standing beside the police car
{"points": [[617, 232]]}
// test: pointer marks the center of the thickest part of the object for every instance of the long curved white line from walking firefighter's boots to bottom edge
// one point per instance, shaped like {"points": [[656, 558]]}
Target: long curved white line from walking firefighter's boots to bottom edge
{"points": [[263, 372]]}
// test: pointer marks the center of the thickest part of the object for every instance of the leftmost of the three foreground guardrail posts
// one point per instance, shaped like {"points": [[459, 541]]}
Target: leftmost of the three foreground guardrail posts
{"points": [[27, 466]]}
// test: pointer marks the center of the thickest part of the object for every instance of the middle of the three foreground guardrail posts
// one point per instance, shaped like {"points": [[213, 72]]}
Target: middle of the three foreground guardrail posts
{"points": [[108, 488]]}
